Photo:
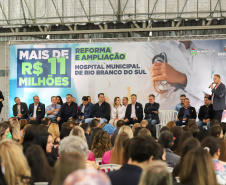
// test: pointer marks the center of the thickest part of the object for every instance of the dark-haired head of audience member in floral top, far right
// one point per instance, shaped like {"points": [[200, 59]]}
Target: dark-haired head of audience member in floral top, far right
{"points": [[212, 146]]}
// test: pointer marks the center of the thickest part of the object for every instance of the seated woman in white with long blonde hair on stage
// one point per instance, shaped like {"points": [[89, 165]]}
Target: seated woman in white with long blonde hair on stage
{"points": [[117, 111]]}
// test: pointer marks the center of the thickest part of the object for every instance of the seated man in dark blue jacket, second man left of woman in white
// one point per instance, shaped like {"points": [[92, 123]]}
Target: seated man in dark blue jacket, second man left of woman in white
{"points": [[85, 110]]}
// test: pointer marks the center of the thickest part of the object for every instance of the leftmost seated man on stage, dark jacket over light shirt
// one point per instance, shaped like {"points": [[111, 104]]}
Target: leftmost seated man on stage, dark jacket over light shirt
{"points": [[20, 109]]}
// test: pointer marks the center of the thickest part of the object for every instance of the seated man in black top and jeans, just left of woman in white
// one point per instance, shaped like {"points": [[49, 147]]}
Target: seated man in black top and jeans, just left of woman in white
{"points": [[100, 111]]}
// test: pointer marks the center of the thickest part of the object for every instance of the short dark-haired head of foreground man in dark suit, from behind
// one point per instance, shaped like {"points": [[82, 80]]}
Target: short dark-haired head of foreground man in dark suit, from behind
{"points": [[142, 149]]}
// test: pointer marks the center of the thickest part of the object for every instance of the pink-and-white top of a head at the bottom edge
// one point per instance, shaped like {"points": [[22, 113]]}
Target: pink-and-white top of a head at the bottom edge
{"points": [[87, 176]]}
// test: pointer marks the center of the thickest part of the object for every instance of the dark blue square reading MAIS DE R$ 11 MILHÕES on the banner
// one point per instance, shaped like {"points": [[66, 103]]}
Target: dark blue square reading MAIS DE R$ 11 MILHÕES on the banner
{"points": [[44, 68]]}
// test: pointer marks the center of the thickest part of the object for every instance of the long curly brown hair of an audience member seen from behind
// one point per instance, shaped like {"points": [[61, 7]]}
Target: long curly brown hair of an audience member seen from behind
{"points": [[101, 143]]}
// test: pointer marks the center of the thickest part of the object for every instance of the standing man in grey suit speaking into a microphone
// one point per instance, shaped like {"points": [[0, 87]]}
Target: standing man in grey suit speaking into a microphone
{"points": [[218, 97]]}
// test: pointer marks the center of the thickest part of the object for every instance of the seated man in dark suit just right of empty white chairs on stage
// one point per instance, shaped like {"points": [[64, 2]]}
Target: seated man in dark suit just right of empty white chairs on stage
{"points": [[187, 112]]}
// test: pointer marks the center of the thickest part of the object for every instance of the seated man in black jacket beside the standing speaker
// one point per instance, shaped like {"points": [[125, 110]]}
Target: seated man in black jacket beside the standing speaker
{"points": [[205, 114]]}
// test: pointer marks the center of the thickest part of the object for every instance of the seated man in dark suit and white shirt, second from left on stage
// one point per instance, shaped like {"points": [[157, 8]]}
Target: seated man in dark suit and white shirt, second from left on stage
{"points": [[36, 110]]}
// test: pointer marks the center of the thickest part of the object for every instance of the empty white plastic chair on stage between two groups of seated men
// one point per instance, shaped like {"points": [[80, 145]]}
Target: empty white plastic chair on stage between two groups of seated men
{"points": [[165, 116]]}
